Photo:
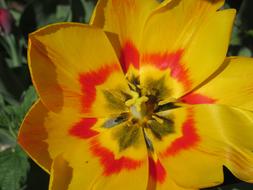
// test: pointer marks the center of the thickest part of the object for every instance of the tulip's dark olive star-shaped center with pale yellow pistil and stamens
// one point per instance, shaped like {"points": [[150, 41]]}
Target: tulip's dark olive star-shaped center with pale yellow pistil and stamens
{"points": [[145, 106]]}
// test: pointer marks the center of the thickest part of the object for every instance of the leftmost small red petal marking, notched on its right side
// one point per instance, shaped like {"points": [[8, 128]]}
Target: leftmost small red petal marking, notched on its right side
{"points": [[83, 128]]}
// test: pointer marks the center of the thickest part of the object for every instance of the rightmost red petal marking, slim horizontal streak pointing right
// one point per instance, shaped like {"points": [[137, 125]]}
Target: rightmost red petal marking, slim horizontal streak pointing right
{"points": [[195, 98]]}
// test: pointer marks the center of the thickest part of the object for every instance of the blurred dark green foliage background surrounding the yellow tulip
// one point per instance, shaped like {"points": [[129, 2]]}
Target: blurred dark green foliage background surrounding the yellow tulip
{"points": [[20, 17]]}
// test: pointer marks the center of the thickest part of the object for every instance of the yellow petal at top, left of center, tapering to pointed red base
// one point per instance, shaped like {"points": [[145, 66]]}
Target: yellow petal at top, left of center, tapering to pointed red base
{"points": [[126, 19]]}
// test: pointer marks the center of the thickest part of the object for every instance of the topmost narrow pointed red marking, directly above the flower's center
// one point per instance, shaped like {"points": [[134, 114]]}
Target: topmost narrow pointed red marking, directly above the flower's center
{"points": [[129, 56]]}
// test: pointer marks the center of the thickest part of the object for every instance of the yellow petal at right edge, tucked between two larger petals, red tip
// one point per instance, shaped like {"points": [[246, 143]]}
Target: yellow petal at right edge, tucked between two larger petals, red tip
{"points": [[232, 86]]}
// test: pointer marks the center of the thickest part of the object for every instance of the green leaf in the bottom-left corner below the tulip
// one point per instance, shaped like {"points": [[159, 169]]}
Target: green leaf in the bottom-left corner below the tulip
{"points": [[13, 168]]}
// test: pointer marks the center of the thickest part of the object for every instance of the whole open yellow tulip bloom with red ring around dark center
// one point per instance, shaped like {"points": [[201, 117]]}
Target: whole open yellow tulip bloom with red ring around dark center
{"points": [[142, 98]]}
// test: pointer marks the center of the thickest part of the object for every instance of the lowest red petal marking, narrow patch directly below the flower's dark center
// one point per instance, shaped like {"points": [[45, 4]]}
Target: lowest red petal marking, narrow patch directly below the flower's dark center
{"points": [[156, 170]]}
